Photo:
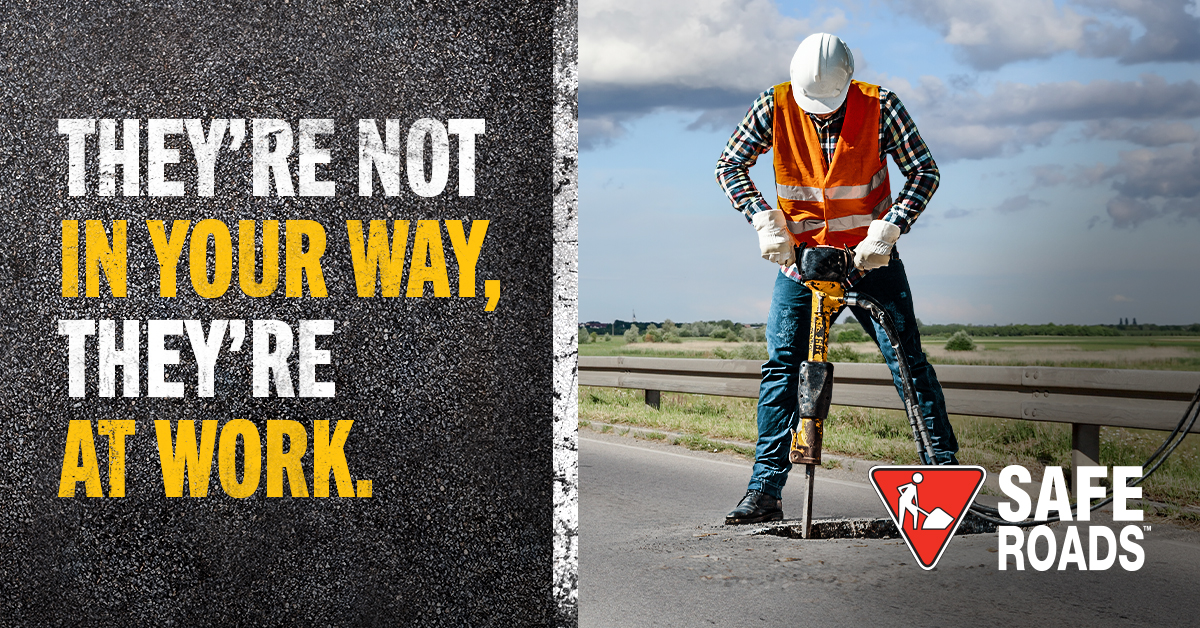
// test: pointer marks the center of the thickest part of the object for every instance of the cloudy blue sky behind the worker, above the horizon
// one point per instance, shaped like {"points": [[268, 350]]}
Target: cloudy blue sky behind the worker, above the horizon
{"points": [[1067, 135]]}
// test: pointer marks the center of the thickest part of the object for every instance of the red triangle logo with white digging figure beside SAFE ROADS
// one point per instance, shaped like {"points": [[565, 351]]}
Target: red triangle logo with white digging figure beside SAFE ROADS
{"points": [[928, 504]]}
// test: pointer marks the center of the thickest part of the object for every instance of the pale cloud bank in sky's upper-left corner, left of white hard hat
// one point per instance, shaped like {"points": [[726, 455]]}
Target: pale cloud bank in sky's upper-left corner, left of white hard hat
{"points": [[710, 56]]}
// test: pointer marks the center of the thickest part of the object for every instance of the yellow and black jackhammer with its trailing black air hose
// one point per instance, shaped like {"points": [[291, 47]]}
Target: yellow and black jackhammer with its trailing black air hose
{"points": [[826, 272]]}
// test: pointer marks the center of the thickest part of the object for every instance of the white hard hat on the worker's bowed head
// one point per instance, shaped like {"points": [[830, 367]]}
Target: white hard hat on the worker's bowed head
{"points": [[821, 73]]}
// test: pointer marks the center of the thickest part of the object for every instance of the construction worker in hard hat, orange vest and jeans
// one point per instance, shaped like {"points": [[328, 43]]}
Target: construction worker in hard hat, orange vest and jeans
{"points": [[831, 136]]}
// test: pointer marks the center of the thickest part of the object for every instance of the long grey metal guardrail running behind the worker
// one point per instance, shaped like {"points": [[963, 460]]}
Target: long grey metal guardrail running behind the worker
{"points": [[1084, 398]]}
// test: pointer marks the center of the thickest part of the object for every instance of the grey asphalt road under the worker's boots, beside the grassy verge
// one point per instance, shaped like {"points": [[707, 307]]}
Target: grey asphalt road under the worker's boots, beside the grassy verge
{"points": [[653, 553]]}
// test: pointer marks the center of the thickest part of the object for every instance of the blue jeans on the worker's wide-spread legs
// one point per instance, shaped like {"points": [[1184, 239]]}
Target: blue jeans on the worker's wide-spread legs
{"points": [[788, 346]]}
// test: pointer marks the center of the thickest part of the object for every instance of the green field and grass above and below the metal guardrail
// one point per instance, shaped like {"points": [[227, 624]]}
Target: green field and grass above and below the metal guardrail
{"points": [[884, 435]]}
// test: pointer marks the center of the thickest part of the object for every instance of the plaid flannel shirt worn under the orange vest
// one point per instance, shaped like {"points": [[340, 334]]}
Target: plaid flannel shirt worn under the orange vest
{"points": [[898, 137]]}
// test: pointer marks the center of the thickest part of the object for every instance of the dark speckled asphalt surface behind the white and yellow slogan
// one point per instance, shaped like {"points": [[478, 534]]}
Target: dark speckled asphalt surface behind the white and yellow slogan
{"points": [[452, 405]]}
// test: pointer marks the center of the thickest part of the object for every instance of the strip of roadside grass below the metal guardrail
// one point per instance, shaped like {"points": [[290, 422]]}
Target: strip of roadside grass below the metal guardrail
{"points": [[885, 435]]}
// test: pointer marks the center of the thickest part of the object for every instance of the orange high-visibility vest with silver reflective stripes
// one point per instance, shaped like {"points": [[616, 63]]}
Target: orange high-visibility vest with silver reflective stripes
{"points": [[831, 205]]}
